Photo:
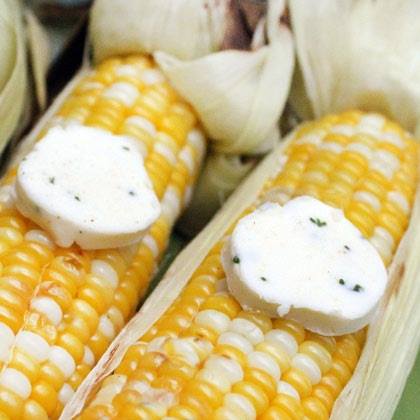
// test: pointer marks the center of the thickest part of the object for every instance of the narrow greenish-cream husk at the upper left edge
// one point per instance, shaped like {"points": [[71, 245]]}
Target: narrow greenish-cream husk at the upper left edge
{"points": [[12, 69]]}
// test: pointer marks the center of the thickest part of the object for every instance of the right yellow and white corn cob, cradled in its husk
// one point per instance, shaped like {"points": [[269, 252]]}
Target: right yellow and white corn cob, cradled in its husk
{"points": [[208, 358]]}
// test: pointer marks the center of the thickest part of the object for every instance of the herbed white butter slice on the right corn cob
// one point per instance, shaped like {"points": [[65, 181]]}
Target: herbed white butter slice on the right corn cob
{"points": [[305, 261]]}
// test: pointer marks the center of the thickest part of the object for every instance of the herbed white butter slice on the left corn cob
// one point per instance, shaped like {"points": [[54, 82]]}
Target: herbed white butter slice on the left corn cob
{"points": [[87, 186]]}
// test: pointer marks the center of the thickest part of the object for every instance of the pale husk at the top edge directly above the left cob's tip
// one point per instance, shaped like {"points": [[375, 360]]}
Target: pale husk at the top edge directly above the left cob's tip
{"points": [[185, 28]]}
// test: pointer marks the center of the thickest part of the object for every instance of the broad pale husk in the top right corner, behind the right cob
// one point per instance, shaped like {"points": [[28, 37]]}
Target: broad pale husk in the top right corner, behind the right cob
{"points": [[358, 54]]}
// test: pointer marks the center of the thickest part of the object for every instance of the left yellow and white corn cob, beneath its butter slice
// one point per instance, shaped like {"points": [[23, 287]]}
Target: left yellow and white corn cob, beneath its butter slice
{"points": [[61, 308]]}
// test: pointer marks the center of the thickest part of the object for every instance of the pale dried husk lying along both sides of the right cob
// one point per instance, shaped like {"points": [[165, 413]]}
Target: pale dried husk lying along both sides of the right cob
{"points": [[393, 337]]}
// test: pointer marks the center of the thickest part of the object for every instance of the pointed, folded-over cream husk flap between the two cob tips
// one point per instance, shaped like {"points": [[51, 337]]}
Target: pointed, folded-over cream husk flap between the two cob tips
{"points": [[239, 95]]}
